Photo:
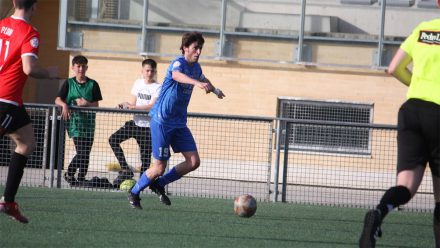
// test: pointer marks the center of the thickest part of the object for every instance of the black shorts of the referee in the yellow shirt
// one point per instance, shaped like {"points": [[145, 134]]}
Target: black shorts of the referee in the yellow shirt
{"points": [[418, 136]]}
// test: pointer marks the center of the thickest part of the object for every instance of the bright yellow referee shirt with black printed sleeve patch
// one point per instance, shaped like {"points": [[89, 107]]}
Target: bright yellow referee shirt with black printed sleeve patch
{"points": [[423, 45]]}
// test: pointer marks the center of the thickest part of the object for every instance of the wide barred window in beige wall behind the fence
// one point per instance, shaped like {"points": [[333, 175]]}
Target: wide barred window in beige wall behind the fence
{"points": [[326, 126]]}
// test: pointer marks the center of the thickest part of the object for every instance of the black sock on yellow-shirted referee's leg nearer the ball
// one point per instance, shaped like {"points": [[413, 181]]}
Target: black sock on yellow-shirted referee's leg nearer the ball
{"points": [[393, 197]]}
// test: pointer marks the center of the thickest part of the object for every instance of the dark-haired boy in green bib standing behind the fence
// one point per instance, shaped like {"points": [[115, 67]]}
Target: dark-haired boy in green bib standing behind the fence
{"points": [[79, 91]]}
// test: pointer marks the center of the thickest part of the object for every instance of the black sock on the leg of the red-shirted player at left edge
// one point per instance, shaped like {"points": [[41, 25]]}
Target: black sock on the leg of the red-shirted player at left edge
{"points": [[15, 173]]}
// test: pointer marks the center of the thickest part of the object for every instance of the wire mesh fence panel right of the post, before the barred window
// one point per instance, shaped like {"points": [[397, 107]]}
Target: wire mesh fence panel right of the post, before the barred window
{"points": [[344, 179]]}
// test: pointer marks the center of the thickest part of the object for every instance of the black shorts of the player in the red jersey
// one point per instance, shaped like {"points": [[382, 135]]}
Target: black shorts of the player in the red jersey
{"points": [[12, 118]]}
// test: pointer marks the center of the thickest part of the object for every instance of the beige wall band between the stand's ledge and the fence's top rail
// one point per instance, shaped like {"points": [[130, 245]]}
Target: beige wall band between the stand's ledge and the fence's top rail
{"points": [[253, 89]]}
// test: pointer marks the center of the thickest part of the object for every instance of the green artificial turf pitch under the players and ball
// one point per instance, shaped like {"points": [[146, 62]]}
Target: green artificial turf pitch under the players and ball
{"points": [[68, 218]]}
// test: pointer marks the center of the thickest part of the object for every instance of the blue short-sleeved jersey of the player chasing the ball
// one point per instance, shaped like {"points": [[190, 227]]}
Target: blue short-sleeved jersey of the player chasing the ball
{"points": [[171, 107]]}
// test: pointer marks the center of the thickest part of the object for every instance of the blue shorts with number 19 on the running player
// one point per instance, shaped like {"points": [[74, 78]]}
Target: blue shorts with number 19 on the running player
{"points": [[162, 137]]}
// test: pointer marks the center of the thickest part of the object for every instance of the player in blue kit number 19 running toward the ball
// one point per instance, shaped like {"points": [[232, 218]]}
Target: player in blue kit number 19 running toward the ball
{"points": [[168, 120]]}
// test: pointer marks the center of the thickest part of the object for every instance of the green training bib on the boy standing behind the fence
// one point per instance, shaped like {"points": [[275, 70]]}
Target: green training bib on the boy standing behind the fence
{"points": [[81, 123]]}
